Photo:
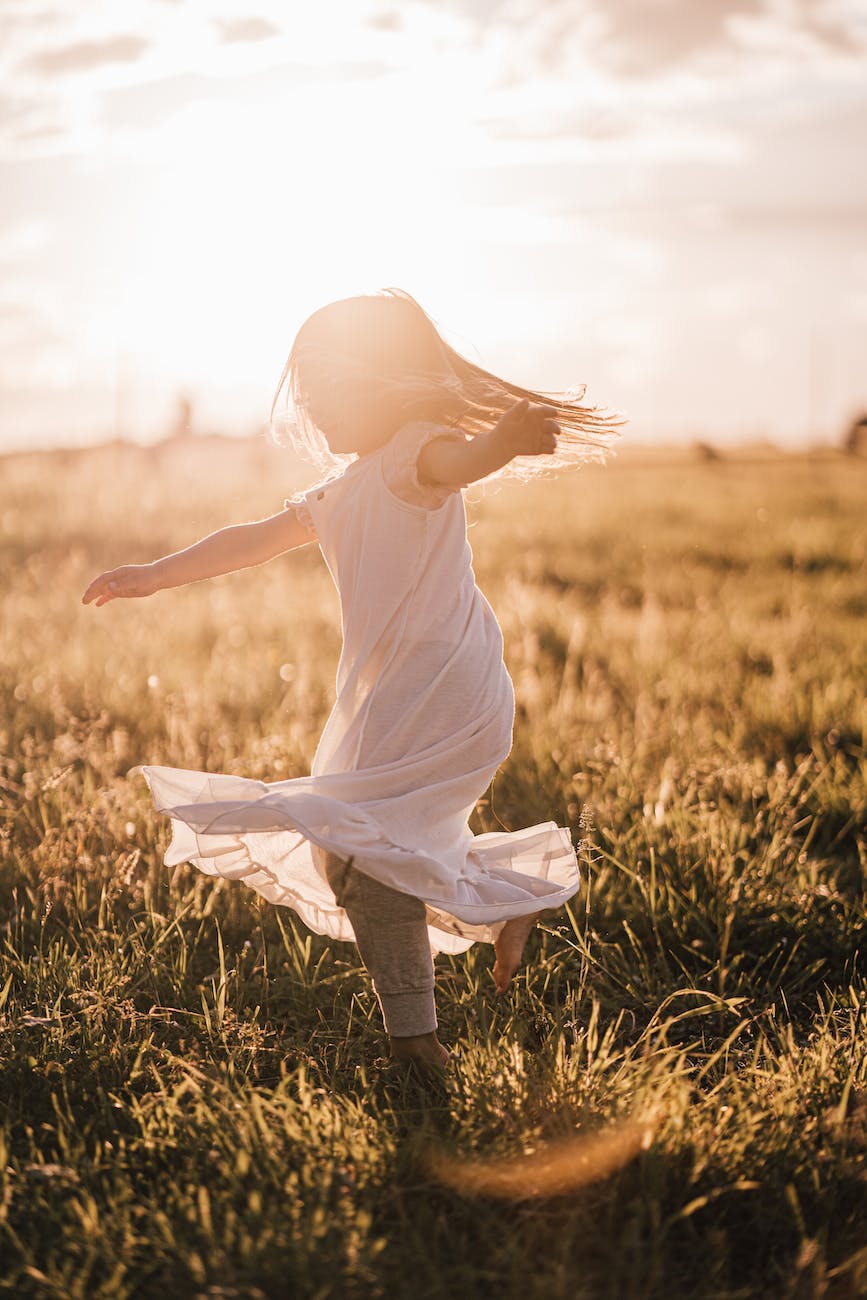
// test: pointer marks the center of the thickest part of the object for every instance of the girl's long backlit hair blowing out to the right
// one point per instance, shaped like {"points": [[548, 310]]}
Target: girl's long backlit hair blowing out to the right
{"points": [[384, 349]]}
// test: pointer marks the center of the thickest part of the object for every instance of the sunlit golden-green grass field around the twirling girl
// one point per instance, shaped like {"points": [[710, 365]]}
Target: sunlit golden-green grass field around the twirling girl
{"points": [[194, 1100]]}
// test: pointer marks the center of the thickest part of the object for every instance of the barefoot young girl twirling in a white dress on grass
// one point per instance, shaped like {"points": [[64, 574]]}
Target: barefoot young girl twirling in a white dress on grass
{"points": [[375, 846]]}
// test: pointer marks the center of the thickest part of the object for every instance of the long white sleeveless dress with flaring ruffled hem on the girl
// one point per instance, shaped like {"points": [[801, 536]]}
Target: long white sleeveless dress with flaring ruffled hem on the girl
{"points": [[422, 722]]}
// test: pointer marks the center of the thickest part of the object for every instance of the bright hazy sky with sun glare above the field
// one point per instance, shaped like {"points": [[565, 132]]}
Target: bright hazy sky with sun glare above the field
{"points": [[662, 200]]}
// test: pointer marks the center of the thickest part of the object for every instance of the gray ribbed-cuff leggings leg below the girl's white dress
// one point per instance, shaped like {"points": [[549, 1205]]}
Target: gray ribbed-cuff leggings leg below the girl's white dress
{"points": [[392, 934]]}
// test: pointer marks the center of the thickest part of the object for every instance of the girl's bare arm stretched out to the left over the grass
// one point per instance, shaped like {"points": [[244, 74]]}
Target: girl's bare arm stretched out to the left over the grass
{"points": [[224, 552]]}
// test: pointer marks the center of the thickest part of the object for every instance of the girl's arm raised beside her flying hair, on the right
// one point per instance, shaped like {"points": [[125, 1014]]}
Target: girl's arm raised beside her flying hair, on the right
{"points": [[527, 430]]}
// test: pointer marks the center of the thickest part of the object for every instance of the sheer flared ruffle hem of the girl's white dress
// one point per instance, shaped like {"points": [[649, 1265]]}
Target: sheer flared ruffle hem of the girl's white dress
{"points": [[262, 834]]}
